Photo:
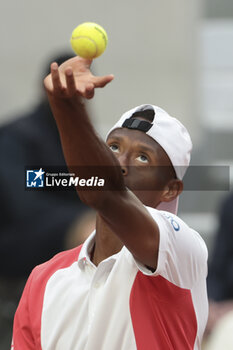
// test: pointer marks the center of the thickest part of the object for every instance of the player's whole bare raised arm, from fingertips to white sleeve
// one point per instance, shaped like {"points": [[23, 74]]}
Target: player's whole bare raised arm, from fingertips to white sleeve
{"points": [[119, 208]]}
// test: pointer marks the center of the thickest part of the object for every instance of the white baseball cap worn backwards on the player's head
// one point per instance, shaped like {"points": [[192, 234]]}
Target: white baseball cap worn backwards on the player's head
{"points": [[172, 136]]}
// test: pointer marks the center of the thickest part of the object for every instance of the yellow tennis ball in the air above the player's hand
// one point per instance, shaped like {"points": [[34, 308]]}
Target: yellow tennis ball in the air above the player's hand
{"points": [[89, 40]]}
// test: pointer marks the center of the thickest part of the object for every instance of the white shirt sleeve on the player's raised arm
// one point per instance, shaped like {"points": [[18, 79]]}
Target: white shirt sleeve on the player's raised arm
{"points": [[182, 256]]}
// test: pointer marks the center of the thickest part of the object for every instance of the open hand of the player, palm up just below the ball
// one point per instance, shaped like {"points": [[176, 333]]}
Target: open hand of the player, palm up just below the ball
{"points": [[73, 77]]}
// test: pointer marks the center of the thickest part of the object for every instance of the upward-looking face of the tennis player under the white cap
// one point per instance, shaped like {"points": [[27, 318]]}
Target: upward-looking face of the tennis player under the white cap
{"points": [[145, 165]]}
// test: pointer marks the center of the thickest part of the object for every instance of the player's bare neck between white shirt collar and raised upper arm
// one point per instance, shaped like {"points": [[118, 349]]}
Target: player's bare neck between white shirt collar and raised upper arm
{"points": [[106, 242]]}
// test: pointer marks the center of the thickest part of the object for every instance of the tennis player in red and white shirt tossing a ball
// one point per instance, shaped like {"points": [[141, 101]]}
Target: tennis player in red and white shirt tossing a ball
{"points": [[139, 280]]}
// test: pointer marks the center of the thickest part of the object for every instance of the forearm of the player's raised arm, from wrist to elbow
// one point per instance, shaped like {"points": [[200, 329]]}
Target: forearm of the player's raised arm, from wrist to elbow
{"points": [[82, 148]]}
